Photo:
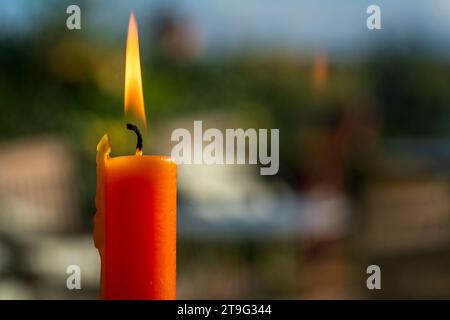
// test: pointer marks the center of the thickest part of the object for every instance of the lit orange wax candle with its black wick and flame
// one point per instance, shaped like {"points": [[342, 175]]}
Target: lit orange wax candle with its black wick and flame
{"points": [[135, 223]]}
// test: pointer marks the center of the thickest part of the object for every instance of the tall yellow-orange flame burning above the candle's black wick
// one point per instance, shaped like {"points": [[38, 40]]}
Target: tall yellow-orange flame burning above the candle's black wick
{"points": [[134, 98]]}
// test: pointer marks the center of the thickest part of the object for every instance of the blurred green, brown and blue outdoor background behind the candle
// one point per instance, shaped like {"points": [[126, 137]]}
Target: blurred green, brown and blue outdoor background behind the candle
{"points": [[364, 119]]}
